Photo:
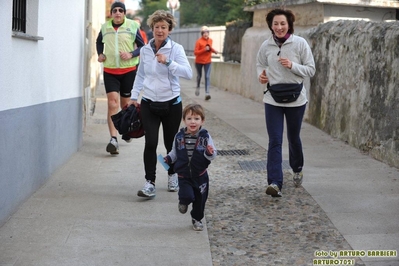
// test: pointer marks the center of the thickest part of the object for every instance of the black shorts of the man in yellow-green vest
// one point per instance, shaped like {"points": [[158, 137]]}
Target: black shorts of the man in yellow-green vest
{"points": [[120, 83]]}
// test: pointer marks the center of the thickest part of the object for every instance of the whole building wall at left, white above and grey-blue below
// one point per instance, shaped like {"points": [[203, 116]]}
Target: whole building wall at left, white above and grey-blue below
{"points": [[41, 88]]}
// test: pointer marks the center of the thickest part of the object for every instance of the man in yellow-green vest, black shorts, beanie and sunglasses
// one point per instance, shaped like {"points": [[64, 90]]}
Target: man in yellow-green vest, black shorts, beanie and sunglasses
{"points": [[118, 47]]}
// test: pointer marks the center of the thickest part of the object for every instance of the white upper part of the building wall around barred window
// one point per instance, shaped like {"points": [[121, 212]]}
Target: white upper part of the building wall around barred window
{"points": [[34, 72]]}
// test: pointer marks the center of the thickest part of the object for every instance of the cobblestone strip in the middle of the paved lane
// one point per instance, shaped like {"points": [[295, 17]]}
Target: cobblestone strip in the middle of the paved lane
{"points": [[248, 227]]}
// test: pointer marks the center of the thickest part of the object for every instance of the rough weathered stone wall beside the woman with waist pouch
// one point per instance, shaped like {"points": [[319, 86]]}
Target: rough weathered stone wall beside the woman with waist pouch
{"points": [[355, 92]]}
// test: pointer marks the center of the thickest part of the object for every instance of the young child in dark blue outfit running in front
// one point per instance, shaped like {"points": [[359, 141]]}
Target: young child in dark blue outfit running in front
{"points": [[192, 152]]}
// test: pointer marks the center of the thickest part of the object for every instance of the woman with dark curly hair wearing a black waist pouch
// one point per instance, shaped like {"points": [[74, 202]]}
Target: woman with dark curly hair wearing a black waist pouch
{"points": [[284, 59]]}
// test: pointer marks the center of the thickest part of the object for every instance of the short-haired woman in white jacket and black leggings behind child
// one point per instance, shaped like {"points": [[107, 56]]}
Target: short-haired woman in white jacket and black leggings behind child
{"points": [[162, 63]]}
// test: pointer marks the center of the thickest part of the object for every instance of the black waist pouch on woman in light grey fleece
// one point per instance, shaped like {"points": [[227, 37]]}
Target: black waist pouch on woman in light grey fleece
{"points": [[285, 92]]}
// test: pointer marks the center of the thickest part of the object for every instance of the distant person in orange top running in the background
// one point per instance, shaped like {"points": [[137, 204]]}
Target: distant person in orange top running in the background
{"points": [[203, 58]]}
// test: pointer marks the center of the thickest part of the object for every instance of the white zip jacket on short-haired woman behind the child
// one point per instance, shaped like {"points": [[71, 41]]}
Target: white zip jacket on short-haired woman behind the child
{"points": [[160, 82]]}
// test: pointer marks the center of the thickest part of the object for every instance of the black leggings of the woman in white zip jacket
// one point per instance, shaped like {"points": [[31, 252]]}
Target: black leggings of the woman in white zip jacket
{"points": [[151, 123]]}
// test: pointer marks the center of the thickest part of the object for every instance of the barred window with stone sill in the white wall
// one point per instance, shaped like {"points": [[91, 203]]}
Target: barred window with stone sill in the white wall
{"points": [[25, 19]]}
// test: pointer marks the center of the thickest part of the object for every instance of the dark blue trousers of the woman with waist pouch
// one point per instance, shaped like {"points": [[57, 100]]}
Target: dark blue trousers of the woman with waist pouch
{"points": [[275, 128]]}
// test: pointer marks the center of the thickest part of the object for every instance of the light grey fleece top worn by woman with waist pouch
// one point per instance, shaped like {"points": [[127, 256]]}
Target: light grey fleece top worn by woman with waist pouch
{"points": [[297, 50]]}
